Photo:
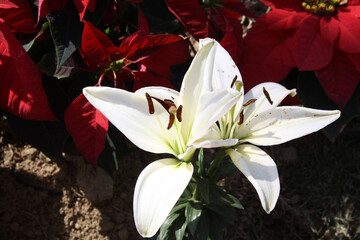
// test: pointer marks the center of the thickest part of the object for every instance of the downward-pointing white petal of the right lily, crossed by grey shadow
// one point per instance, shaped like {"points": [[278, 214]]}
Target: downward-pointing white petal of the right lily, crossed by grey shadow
{"points": [[260, 170]]}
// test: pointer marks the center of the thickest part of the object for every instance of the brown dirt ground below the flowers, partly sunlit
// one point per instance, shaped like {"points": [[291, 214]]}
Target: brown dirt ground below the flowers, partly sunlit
{"points": [[42, 199]]}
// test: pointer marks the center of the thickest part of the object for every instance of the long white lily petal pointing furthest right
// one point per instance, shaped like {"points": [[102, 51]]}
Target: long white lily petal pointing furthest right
{"points": [[282, 124]]}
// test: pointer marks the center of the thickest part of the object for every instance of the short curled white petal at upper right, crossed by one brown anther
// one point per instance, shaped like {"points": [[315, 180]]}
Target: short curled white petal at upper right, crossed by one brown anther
{"points": [[276, 92]]}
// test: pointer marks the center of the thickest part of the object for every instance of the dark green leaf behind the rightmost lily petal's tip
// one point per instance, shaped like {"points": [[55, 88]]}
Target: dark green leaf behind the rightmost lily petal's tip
{"points": [[312, 94]]}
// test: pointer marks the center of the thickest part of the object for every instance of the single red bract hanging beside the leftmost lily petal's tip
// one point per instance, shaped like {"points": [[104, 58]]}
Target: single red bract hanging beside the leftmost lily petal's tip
{"points": [[88, 128]]}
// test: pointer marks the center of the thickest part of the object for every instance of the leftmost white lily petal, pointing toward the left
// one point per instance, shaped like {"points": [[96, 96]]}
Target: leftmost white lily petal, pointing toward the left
{"points": [[129, 113]]}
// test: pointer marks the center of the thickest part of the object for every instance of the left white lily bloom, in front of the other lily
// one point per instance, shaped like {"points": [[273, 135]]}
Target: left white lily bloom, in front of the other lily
{"points": [[161, 120]]}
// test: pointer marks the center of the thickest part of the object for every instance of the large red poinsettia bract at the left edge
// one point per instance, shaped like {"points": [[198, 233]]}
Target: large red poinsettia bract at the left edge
{"points": [[21, 89]]}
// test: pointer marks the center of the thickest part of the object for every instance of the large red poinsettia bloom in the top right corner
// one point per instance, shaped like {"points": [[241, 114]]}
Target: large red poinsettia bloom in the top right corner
{"points": [[311, 38]]}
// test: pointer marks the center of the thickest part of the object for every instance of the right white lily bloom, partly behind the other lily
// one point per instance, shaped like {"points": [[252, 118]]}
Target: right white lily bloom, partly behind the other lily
{"points": [[257, 119]]}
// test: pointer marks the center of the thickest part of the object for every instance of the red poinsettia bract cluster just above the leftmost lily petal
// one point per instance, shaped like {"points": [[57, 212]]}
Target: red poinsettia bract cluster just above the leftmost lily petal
{"points": [[154, 53]]}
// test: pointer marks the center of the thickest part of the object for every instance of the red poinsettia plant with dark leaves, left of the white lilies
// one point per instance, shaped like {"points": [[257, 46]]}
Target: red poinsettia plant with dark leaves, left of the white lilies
{"points": [[63, 51]]}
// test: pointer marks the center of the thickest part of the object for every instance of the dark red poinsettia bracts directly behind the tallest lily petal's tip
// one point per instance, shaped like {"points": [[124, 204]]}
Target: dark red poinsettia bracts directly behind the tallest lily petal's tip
{"points": [[218, 22]]}
